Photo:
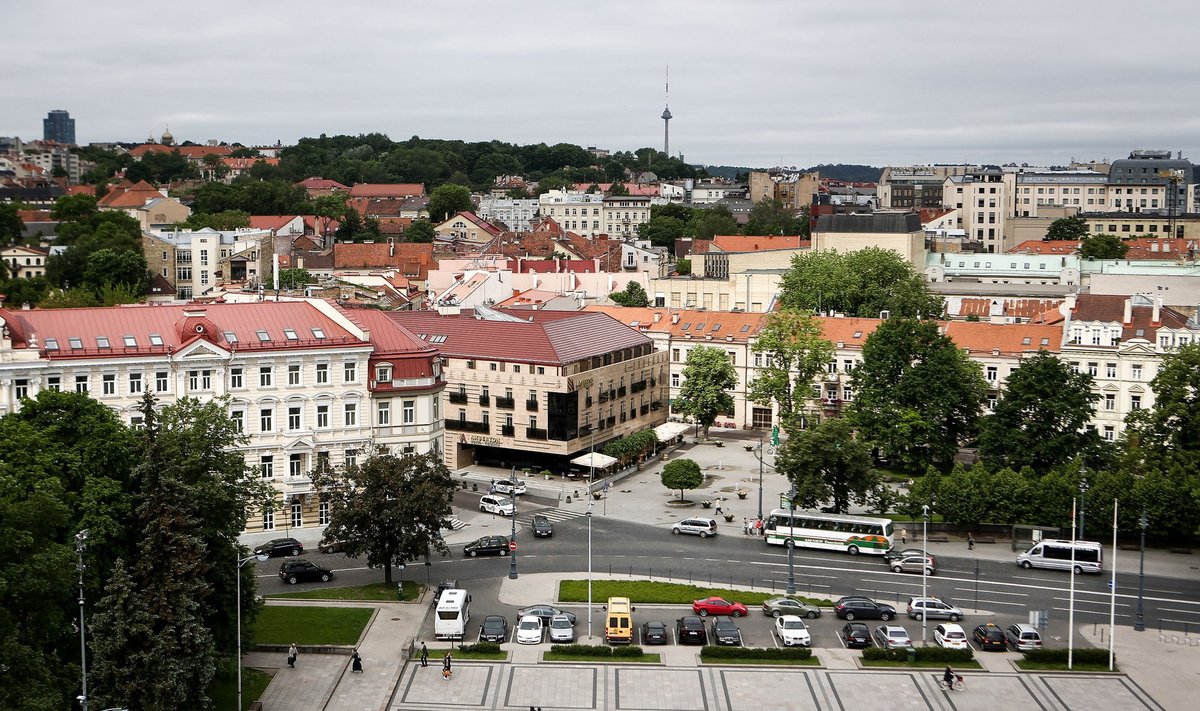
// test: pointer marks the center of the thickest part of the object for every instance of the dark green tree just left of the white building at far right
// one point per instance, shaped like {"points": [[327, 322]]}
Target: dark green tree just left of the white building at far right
{"points": [[1042, 420]]}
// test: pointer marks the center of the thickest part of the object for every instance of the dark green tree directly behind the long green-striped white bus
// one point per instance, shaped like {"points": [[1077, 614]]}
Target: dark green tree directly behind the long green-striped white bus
{"points": [[827, 463]]}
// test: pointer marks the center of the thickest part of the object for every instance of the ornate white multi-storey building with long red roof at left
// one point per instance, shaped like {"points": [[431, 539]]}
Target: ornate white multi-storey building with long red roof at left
{"points": [[310, 384]]}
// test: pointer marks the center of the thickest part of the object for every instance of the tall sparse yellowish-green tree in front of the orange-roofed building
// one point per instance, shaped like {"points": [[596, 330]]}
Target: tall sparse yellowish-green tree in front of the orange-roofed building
{"points": [[796, 352]]}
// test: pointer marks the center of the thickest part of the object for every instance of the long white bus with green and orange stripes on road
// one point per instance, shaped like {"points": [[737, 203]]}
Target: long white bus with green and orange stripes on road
{"points": [[854, 535]]}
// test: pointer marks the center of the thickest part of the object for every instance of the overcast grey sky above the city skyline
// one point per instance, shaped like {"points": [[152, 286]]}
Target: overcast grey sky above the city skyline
{"points": [[753, 83]]}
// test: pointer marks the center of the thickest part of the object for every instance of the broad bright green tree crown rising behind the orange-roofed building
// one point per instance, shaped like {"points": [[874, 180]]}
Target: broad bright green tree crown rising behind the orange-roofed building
{"points": [[862, 284]]}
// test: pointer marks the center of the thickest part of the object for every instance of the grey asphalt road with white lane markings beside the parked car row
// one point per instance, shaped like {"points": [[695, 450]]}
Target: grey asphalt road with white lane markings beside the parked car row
{"points": [[1003, 593]]}
